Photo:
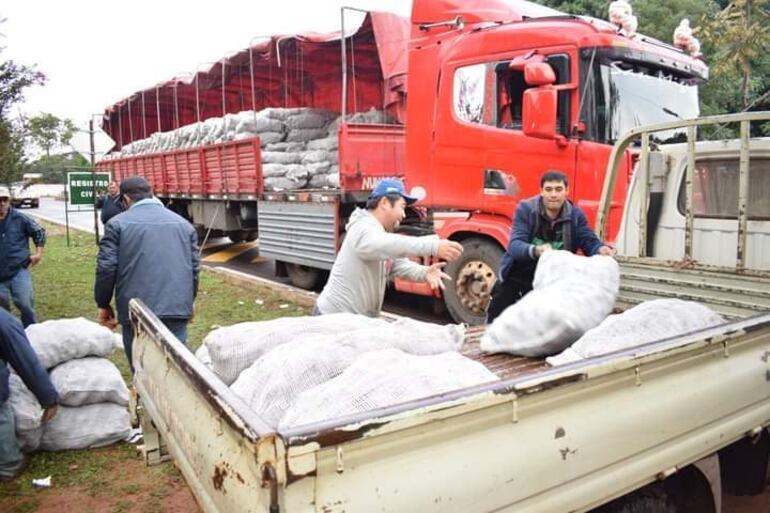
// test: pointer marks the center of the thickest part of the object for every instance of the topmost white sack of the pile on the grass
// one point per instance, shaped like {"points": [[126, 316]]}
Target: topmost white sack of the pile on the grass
{"points": [[61, 340]]}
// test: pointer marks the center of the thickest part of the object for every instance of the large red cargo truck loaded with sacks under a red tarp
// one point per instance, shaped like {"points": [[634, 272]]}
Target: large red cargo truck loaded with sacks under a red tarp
{"points": [[494, 92]]}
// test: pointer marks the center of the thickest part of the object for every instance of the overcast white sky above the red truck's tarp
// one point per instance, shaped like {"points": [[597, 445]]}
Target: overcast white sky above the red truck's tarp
{"points": [[96, 53]]}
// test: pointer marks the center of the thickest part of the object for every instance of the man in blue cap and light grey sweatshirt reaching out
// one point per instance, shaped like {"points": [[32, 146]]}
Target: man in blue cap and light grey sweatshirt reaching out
{"points": [[371, 254]]}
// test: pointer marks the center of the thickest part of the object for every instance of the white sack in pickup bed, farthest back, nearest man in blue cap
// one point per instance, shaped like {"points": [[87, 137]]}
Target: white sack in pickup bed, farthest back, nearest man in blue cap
{"points": [[234, 348]]}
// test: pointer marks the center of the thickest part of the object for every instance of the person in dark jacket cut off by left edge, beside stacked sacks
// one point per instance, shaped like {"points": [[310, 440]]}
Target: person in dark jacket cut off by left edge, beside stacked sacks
{"points": [[16, 350]]}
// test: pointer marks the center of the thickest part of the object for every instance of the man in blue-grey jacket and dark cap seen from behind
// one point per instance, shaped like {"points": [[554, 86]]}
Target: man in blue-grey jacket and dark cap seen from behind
{"points": [[150, 253]]}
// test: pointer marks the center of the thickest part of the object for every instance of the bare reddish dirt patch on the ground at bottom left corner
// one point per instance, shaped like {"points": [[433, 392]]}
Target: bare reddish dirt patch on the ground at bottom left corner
{"points": [[125, 485]]}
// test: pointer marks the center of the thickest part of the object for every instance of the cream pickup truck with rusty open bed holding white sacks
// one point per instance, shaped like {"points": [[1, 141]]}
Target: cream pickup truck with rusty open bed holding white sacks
{"points": [[664, 426]]}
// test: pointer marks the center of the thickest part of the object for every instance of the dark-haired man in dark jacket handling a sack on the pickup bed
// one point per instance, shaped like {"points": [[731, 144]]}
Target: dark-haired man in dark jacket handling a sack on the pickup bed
{"points": [[544, 222]]}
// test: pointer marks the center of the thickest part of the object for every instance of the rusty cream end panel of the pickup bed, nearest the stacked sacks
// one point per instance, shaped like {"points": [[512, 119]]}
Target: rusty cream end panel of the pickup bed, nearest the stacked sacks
{"points": [[221, 447]]}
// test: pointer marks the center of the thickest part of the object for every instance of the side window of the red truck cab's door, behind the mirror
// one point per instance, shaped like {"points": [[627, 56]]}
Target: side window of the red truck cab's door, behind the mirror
{"points": [[491, 94]]}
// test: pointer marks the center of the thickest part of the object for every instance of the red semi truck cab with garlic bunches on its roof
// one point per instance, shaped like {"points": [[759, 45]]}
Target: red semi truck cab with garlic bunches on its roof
{"points": [[498, 93]]}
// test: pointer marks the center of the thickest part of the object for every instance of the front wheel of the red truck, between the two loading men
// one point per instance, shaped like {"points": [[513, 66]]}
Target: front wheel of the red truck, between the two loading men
{"points": [[473, 274]]}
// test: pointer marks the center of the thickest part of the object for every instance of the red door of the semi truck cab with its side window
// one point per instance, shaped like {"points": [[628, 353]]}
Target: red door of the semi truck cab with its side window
{"points": [[481, 153]]}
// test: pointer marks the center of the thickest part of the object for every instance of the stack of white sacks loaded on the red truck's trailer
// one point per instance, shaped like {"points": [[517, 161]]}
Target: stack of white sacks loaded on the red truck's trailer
{"points": [[299, 145]]}
